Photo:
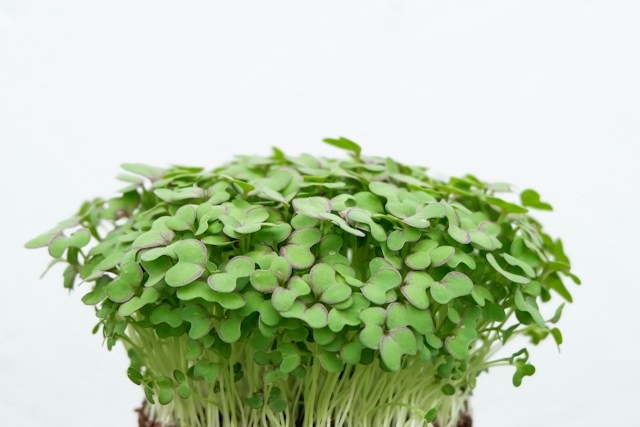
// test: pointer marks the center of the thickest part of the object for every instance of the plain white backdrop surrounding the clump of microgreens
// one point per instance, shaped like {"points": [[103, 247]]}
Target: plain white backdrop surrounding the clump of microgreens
{"points": [[543, 94]]}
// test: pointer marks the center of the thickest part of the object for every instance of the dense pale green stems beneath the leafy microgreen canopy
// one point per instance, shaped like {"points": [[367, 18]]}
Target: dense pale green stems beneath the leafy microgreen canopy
{"points": [[360, 395]]}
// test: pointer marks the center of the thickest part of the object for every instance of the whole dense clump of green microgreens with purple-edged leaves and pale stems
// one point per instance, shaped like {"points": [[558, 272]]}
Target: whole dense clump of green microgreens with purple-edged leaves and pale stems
{"points": [[289, 291]]}
